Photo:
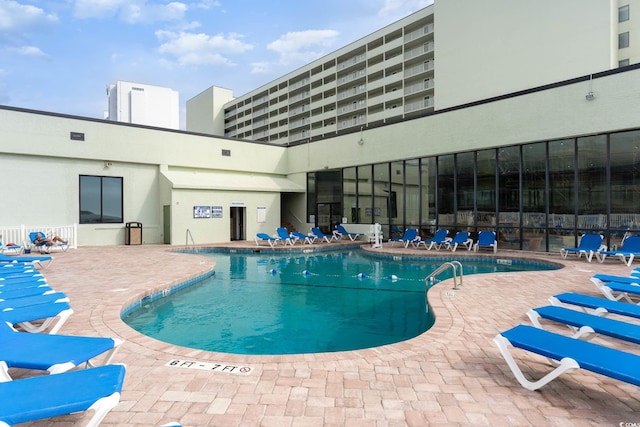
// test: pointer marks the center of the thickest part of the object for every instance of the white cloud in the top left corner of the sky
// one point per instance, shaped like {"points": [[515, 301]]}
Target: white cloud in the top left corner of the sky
{"points": [[17, 20]]}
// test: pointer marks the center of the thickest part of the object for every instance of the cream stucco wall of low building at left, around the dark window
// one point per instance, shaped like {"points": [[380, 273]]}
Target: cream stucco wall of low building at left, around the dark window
{"points": [[37, 150]]}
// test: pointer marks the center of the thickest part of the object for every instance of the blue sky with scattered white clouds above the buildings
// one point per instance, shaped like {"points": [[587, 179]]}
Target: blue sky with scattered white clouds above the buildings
{"points": [[59, 56]]}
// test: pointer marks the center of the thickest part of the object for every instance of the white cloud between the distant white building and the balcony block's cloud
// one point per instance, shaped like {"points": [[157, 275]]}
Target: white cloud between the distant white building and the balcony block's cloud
{"points": [[200, 48]]}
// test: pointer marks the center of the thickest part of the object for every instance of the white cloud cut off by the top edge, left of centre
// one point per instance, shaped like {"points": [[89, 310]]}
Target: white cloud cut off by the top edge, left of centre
{"points": [[131, 12]]}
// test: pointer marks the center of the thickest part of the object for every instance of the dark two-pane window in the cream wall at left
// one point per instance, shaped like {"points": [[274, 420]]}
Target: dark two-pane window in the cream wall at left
{"points": [[100, 199]]}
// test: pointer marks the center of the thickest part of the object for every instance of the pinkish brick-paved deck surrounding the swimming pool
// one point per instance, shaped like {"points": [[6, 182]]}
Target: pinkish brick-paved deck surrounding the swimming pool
{"points": [[452, 375]]}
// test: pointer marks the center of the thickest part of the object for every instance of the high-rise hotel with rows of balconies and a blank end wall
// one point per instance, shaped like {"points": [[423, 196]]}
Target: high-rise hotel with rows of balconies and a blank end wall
{"points": [[444, 55]]}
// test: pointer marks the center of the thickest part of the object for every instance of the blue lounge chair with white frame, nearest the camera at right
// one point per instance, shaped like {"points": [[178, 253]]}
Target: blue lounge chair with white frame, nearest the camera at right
{"points": [[569, 352]]}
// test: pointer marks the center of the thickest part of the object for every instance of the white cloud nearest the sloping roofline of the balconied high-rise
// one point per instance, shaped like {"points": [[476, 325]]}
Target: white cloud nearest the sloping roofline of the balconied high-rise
{"points": [[303, 46]]}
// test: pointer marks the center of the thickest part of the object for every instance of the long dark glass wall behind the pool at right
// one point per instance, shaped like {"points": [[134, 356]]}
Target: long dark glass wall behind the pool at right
{"points": [[540, 196]]}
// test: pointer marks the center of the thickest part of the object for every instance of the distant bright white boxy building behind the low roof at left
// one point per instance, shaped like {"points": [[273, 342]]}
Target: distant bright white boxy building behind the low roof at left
{"points": [[143, 104]]}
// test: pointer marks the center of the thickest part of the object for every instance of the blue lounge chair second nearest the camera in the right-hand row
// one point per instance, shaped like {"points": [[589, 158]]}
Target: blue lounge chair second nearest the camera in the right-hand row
{"points": [[586, 325]]}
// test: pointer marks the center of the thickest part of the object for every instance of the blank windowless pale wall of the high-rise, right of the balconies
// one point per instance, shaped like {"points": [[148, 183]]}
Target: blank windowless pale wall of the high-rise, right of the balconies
{"points": [[485, 49]]}
